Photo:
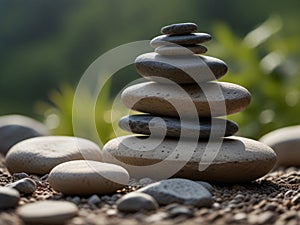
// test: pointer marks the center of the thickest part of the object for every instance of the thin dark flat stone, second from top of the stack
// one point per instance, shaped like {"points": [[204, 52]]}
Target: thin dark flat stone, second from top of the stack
{"points": [[185, 39]]}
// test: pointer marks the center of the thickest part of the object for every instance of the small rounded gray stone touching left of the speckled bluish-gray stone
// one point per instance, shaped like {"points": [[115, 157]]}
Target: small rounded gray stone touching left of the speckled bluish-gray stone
{"points": [[135, 202]]}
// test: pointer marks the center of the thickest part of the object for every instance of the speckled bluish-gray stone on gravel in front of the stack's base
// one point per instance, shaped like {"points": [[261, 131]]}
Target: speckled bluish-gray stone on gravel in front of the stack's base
{"points": [[180, 191]]}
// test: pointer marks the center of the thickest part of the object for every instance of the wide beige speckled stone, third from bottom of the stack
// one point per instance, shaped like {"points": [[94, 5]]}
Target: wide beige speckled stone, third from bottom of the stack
{"points": [[157, 98]]}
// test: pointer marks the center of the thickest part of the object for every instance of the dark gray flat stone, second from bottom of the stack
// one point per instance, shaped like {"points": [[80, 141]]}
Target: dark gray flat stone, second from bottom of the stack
{"points": [[173, 127]]}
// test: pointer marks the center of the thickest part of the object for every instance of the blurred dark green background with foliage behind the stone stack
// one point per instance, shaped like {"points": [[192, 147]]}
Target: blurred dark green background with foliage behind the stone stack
{"points": [[45, 47]]}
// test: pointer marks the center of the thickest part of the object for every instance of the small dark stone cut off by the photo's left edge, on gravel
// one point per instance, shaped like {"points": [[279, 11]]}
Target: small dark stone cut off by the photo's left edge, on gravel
{"points": [[8, 197]]}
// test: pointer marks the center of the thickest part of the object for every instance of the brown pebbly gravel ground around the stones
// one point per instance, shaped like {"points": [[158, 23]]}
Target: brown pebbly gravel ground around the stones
{"points": [[273, 199]]}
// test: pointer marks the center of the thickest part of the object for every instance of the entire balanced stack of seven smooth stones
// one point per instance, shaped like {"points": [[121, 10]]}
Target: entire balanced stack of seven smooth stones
{"points": [[181, 135]]}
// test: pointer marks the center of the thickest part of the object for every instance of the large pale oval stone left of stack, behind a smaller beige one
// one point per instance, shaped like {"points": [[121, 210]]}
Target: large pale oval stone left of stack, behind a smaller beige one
{"points": [[41, 154]]}
